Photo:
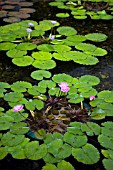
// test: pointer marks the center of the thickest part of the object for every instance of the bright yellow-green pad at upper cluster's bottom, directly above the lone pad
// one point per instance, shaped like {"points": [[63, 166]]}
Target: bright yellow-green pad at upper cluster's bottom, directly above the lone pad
{"points": [[44, 64]]}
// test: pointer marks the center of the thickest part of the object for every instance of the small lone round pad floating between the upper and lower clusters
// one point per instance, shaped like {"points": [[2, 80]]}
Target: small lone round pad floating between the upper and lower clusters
{"points": [[39, 74]]}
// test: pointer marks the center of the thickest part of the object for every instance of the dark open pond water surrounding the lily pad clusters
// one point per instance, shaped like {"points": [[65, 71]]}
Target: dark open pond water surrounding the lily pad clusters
{"points": [[104, 70]]}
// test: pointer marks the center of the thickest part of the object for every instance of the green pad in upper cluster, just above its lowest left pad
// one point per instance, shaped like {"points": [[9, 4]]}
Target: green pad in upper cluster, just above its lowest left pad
{"points": [[15, 53]]}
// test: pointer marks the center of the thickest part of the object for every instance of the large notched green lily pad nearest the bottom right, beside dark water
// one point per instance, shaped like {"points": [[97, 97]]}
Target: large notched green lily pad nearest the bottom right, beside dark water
{"points": [[88, 154]]}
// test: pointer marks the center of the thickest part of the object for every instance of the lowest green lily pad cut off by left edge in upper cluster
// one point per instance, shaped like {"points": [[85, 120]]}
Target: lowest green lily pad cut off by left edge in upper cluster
{"points": [[7, 46]]}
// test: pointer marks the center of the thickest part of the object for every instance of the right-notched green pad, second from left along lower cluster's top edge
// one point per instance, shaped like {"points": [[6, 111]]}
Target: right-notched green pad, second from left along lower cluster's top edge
{"points": [[20, 86]]}
